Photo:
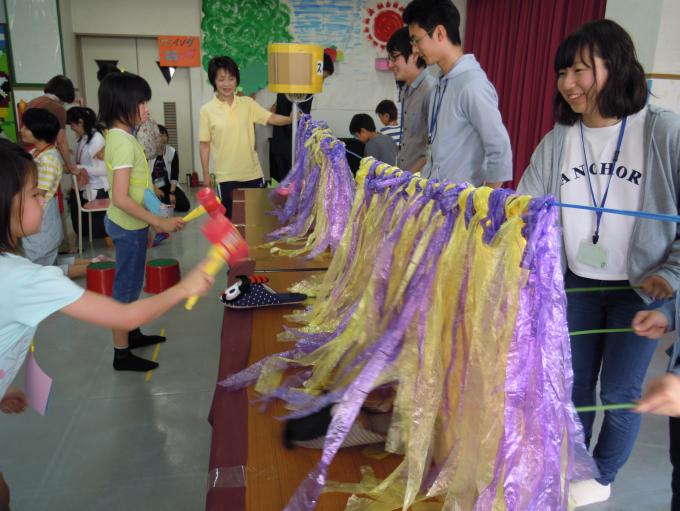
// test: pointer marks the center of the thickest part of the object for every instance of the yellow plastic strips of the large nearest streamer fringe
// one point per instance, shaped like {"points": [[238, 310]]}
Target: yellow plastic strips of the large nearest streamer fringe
{"points": [[449, 393]]}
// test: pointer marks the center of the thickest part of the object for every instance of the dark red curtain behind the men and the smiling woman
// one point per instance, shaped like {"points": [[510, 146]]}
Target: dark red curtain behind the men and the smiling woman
{"points": [[515, 42]]}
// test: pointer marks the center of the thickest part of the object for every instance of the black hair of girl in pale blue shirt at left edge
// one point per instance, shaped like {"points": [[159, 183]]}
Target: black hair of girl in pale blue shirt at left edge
{"points": [[17, 168]]}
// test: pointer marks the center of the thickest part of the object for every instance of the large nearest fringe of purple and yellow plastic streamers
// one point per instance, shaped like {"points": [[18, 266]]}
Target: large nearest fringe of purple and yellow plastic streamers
{"points": [[454, 297]]}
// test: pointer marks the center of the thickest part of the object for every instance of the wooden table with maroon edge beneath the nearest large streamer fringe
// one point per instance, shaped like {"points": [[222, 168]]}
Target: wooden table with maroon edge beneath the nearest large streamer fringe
{"points": [[248, 441]]}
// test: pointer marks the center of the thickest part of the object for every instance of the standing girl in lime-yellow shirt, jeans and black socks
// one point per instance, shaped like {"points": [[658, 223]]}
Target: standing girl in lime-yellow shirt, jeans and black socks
{"points": [[123, 105]]}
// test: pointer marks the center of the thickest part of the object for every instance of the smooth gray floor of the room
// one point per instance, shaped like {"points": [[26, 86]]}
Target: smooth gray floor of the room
{"points": [[113, 441]]}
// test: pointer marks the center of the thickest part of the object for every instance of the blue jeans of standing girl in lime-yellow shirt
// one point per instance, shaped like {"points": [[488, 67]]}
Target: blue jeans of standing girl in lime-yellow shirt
{"points": [[130, 260]]}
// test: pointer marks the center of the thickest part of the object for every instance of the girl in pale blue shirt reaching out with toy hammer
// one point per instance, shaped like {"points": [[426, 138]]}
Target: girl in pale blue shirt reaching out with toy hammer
{"points": [[30, 292]]}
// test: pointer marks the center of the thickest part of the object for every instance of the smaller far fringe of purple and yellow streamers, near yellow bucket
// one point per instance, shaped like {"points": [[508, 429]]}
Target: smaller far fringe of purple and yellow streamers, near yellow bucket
{"points": [[320, 191]]}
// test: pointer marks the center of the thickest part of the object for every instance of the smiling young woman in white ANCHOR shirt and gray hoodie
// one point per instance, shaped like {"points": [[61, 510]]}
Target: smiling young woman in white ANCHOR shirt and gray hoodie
{"points": [[609, 149]]}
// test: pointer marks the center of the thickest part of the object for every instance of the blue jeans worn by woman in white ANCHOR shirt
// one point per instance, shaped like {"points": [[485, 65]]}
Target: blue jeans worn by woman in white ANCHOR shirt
{"points": [[620, 360]]}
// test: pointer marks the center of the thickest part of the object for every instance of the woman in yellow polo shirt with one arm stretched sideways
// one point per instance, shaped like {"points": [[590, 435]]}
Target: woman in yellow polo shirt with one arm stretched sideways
{"points": [[227, 131]]}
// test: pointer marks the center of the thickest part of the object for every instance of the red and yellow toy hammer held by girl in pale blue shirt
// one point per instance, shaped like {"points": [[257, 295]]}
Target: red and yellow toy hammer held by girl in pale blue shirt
{"points": [[228, 246]]}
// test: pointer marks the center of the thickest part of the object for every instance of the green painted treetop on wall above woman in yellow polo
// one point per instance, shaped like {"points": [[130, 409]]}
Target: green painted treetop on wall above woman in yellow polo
{"points": [[242, 29]]}
